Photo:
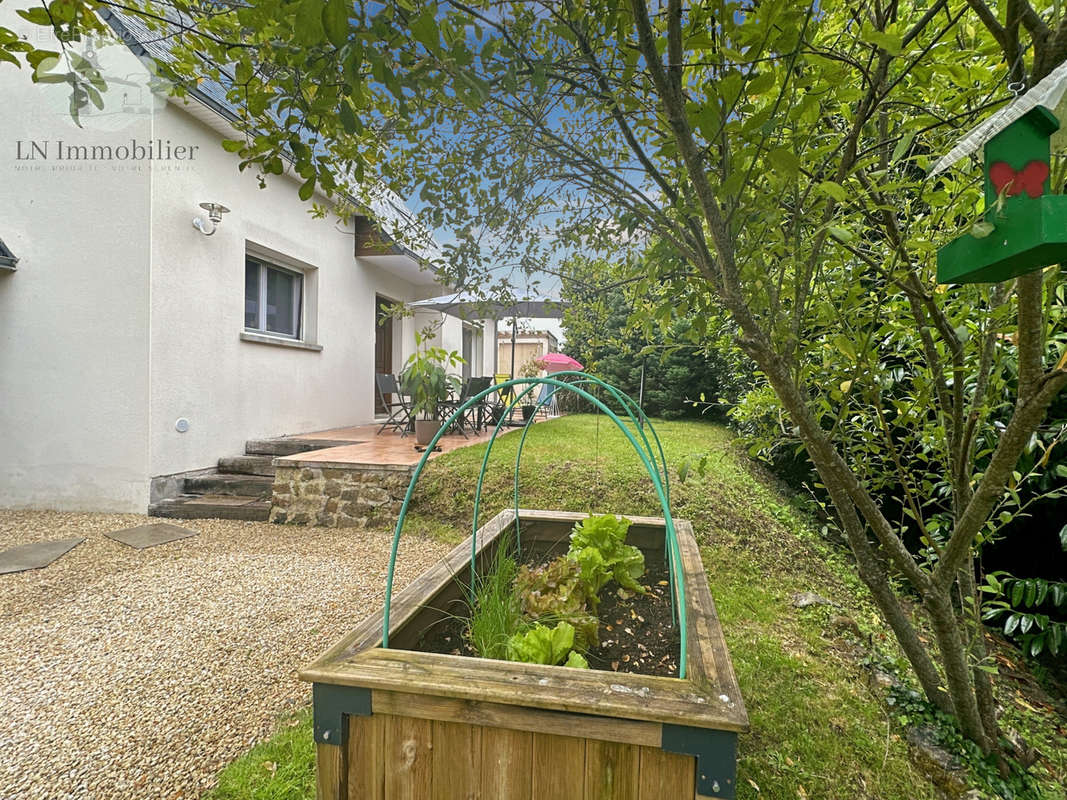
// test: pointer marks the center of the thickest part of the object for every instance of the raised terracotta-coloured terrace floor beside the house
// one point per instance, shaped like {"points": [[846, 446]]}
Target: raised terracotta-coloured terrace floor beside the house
{"points": [[368, 449]]}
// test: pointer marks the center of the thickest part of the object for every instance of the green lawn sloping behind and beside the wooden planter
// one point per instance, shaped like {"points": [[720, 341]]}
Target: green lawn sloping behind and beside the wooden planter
{"points": [[818, 732]]}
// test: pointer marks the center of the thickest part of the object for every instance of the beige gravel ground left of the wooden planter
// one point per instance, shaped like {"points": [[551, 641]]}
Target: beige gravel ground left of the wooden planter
{"points": [[138, 675]]}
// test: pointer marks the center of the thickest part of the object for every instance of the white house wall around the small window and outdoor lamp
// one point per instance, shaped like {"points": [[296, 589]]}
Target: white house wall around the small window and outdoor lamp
{"points": [[231, 390]]}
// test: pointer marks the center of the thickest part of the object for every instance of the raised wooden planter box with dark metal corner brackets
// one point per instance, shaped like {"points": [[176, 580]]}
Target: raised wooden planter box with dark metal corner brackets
{"points": [[394, 724]]}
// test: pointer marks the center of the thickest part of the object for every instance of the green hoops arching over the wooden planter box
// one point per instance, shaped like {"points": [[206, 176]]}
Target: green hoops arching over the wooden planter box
{"points": [[530, 386]]}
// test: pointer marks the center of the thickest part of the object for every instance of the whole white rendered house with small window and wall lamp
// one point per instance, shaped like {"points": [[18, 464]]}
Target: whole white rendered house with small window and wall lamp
{"points": [[135, 346]]}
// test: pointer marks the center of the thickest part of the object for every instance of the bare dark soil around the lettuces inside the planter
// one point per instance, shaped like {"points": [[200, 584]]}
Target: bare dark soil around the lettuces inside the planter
{"points": [[636, 633]]}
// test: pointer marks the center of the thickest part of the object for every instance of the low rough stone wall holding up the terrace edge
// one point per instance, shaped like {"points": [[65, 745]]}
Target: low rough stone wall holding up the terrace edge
{"points": [[368, 497]]}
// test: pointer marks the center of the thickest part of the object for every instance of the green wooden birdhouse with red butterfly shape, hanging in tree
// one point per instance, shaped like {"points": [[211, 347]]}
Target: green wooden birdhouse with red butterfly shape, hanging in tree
{"points": [[1025, 228]]}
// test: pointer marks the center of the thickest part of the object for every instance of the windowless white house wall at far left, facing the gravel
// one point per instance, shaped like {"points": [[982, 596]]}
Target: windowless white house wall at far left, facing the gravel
{"points": [[74, 317]]}
